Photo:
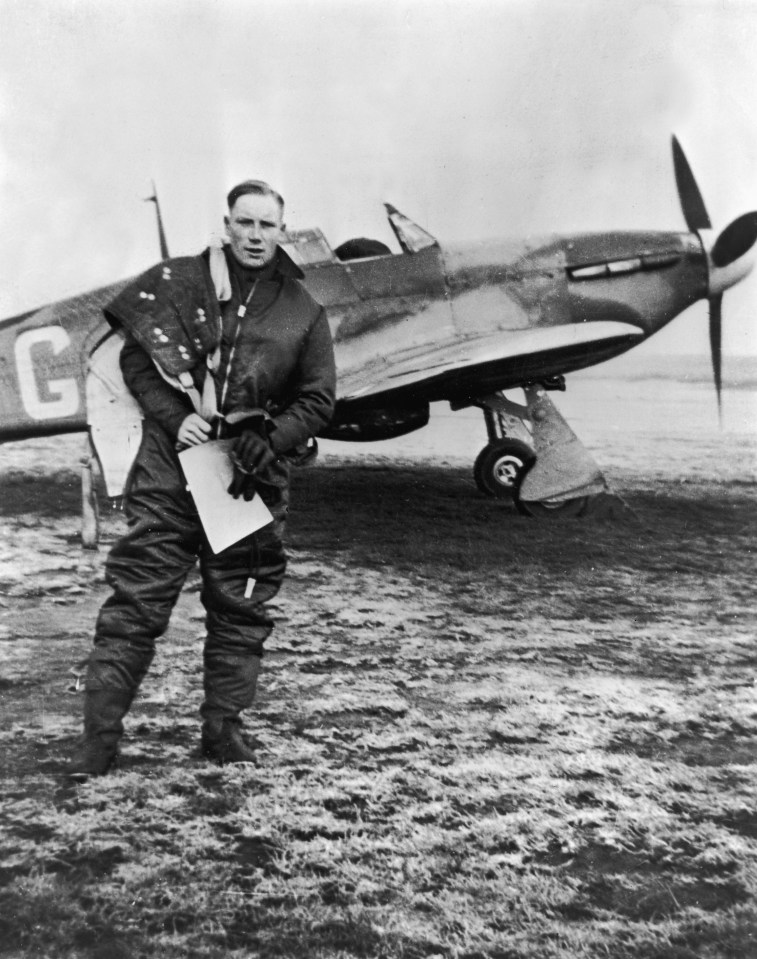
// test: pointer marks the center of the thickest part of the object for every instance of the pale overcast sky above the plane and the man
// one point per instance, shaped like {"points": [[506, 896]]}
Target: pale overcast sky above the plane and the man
{"points": [[477, 118]]}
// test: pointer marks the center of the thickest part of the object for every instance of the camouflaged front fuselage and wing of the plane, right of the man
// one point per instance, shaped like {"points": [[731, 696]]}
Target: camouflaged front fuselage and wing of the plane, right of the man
{"points": [[490, 316]]}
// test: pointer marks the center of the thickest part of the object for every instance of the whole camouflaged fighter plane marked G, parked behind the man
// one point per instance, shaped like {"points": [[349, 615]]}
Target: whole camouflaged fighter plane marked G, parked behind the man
{"points": [[457, 323]]}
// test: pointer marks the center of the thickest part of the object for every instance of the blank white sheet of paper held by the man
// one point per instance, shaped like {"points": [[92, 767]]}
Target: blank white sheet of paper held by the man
{"points": [[225, 520]]}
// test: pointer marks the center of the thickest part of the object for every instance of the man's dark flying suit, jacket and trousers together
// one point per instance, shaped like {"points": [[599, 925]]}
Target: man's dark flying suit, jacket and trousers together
{"points": [[279, 359]]}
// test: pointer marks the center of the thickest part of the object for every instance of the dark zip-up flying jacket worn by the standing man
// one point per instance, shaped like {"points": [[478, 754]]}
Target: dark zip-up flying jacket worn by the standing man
{"points": [[278, 357]]}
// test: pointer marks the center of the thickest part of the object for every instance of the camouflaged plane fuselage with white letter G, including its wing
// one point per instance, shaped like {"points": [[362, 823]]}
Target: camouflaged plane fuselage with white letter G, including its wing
{"points": [[429, 306]]}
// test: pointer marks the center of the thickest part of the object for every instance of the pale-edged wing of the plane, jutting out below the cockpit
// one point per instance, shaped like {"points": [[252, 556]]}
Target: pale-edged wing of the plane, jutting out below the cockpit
{"points": [[459, 360]]}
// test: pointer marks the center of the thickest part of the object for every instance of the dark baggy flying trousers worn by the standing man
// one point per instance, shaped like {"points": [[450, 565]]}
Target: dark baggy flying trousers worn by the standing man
{"points": [[148, 566]]}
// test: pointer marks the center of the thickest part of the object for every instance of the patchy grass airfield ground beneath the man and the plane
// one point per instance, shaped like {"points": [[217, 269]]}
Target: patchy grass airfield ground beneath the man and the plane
{"points": [[480, 737]]}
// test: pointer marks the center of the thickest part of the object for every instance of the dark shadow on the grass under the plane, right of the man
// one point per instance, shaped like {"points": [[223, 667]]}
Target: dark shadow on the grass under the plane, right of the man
{"points": [[410, 515]]}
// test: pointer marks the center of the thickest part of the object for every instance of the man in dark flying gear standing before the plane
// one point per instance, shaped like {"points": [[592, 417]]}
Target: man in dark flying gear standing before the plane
{"points": [[227, 344]]}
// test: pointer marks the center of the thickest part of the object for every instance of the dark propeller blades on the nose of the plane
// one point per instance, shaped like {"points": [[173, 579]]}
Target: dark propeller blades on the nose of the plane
{"points": [[734, 241]]}
